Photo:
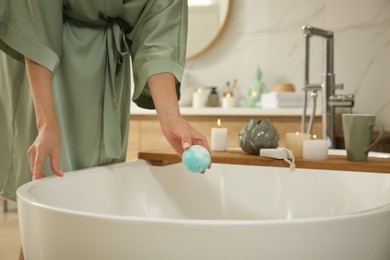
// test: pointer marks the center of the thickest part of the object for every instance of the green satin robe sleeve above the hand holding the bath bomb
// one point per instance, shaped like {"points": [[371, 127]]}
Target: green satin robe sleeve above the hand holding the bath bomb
{"points": [[159, 41]]}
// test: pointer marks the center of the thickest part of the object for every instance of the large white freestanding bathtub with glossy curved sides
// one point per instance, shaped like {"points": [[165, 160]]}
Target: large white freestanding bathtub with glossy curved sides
{"points": [[234, 212]]}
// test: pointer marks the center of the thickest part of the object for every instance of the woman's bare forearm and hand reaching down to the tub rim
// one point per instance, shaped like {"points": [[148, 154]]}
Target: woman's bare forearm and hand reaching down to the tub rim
{"points": [[48, 141]]}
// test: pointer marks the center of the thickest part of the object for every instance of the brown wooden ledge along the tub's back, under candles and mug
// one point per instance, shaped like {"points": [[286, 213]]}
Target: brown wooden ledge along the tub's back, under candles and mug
{"points": [[162, 157]]}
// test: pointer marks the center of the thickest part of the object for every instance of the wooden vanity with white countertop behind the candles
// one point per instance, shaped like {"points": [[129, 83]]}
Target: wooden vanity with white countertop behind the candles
{"points": [[145, 131]]}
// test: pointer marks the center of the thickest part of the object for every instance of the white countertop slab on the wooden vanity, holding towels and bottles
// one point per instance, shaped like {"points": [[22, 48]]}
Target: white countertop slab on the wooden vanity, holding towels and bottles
{"points": [[236, 111]]}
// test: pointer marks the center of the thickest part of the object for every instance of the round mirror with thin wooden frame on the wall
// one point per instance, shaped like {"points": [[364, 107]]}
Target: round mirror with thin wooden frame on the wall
{"points": [[206, 21]]}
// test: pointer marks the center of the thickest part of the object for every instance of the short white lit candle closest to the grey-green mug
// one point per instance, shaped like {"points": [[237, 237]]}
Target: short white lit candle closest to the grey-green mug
{"points": [[315, 149]]}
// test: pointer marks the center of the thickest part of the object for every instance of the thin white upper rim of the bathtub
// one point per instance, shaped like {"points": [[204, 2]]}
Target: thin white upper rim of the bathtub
{"points": [[24, 197]]}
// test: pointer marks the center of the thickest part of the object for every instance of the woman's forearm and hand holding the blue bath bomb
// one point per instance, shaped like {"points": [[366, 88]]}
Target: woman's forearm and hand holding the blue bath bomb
{"points": [[176, 130]]}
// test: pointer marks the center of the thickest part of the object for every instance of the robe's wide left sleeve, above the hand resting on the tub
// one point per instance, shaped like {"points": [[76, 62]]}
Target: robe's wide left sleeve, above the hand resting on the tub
{"points": [[32, 29]]}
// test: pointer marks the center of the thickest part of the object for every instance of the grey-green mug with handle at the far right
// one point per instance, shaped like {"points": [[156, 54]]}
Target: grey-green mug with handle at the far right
{"points": [[357, 130]]}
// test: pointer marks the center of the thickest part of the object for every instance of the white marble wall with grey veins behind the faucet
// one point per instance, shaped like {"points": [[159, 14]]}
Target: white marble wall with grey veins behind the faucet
{"points": [[268, 33]]}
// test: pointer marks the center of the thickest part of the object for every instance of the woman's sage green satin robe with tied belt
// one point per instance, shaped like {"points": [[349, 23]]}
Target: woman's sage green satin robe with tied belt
{"points": [[91, 46]]}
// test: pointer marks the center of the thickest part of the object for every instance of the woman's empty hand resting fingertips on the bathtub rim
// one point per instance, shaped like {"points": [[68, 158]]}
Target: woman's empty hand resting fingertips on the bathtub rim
{"points": [[47, 143]]}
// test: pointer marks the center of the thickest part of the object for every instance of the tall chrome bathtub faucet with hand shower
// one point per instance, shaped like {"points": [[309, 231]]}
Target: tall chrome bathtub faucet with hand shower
{"points": [[328, 86]]}
